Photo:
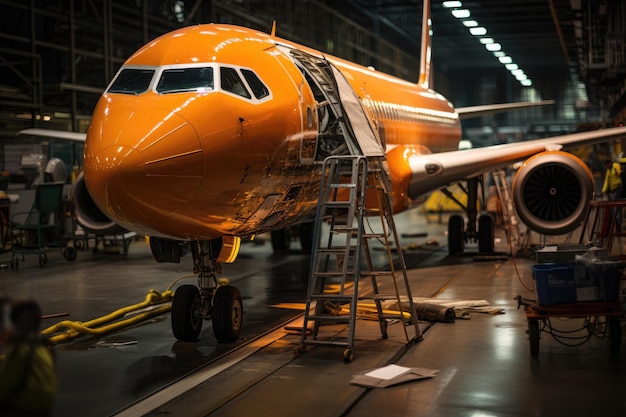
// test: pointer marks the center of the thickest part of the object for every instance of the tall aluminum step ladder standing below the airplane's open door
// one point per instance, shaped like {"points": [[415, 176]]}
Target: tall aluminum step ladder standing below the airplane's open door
{"points": [[340, 261]]}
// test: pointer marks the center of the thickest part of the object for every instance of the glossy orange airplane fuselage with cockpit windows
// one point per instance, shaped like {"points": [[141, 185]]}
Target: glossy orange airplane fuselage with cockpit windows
{"points": [[214, 130]]}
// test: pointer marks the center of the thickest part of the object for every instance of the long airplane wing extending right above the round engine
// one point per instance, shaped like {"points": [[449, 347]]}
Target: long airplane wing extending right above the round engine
{"points": [[432, 171]]}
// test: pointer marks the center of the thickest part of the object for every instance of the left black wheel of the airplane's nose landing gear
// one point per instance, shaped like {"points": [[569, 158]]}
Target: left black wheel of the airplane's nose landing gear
{"points": [[187, 313]]}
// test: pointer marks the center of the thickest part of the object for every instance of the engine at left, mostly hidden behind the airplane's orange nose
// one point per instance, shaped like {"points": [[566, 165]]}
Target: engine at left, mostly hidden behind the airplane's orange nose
{"points": [[88, 215]]}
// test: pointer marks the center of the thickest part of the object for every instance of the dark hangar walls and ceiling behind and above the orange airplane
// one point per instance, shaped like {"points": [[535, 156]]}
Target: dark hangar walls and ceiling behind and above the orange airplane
{"points": [[58, 56]]}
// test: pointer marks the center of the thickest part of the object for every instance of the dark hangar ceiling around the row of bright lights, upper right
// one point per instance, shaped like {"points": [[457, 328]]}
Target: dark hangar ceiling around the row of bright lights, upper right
{"points": [[579, 40]]}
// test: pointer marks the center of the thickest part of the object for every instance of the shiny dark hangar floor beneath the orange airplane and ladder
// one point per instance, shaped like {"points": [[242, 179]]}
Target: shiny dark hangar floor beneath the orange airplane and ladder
{"points": [[483, 361]]}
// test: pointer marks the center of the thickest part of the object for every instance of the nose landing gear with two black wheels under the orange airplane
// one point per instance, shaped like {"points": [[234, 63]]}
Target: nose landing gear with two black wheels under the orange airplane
{"points": [[209, 300]]}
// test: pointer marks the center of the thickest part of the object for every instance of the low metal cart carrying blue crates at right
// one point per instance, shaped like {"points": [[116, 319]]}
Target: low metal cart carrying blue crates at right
{"points": [[539, 319]]}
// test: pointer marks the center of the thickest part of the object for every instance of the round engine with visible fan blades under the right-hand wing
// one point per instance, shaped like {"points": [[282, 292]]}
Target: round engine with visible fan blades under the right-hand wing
{"points": [[552, 191]]}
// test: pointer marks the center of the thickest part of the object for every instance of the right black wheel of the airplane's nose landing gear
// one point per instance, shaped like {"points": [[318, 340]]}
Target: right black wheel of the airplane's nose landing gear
{"points": [[227, 313]]}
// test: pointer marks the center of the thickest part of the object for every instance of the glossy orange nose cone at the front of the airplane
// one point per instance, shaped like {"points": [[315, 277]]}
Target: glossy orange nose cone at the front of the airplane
{"points": [[142, 164]]}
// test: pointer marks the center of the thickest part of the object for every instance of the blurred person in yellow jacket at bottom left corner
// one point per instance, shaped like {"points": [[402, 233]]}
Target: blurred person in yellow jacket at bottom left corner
{"points": [[28, 380]]}
